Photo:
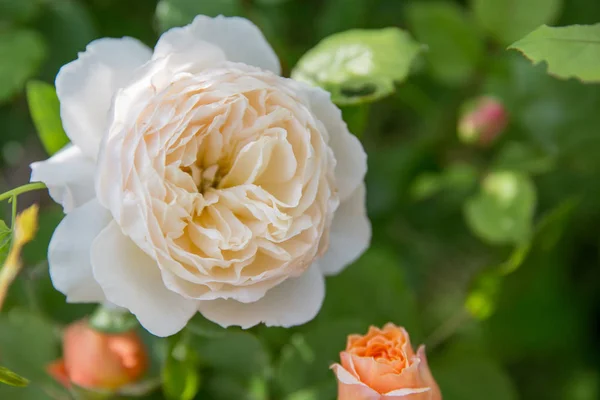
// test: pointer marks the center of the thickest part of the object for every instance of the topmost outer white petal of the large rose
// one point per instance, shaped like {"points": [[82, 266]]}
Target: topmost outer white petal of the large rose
{"points": [[238, 38]]}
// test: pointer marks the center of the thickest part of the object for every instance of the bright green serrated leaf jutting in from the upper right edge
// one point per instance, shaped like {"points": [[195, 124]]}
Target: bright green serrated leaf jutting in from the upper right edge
{"points": [[570, 51]]}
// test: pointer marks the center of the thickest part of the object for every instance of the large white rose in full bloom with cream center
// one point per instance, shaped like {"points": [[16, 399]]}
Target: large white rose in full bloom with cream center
{"points": [[200, 180]]}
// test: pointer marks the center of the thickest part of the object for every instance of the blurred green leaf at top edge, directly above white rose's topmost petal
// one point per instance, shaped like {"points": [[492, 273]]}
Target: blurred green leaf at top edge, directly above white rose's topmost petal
{"points": [[172, 13]]}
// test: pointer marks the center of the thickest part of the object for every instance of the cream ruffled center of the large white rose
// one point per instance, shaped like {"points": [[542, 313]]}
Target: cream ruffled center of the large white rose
{"points": [[237, 177]]}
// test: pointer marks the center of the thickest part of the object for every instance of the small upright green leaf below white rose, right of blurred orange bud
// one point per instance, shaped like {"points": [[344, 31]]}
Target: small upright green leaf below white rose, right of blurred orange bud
{"points": [[180, 373]]}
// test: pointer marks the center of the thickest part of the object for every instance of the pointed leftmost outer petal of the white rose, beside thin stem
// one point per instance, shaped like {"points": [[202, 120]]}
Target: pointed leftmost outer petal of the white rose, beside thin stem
{"points": [[69, 175]]}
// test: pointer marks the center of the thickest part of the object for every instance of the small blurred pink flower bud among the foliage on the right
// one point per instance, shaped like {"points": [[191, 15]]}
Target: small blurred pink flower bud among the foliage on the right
{"points": [[482, 121]]}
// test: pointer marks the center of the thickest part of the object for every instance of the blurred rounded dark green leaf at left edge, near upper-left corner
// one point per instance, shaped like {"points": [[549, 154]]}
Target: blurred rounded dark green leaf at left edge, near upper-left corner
{"points": [[21, 53]]}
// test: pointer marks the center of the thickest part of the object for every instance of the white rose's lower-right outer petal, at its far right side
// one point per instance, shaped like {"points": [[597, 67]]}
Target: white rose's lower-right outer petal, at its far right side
{"points": [[350, 233]]}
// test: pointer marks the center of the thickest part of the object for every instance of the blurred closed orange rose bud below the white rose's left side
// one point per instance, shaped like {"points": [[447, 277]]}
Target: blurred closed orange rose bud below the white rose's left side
{"points": [[97, 360]]}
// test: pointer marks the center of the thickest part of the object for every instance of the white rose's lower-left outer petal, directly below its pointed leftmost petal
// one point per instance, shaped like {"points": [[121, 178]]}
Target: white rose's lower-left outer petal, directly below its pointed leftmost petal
{"points": [[69, 253]]}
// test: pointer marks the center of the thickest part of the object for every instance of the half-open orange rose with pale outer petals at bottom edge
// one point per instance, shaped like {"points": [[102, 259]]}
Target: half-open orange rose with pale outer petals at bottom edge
{"points": [[382, 365]]}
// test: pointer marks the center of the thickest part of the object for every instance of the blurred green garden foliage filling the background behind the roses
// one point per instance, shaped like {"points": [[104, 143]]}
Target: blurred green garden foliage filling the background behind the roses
{"points": [[489, 255]]}
